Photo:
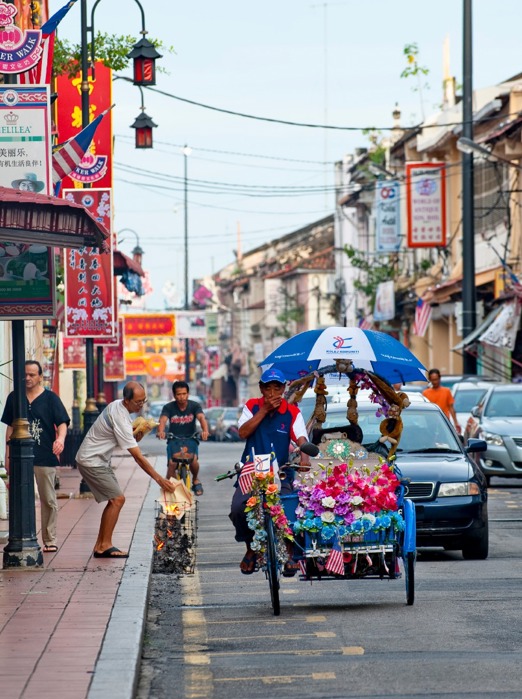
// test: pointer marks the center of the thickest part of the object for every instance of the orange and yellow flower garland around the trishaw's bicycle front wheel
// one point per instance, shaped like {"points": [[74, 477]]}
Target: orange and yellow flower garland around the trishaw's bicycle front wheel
{"points": [[265, 496]]}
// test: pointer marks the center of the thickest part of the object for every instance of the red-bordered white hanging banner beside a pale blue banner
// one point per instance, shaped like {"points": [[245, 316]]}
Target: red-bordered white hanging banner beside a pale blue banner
{"points": [[426, 204]]}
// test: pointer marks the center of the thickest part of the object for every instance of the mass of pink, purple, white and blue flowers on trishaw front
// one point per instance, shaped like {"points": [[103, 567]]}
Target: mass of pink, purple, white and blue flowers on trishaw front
{"points": [[345, 501]]}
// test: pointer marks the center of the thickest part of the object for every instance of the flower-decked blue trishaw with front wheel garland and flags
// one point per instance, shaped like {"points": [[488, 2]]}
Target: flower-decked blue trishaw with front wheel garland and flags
{"points": [[347, 515]]}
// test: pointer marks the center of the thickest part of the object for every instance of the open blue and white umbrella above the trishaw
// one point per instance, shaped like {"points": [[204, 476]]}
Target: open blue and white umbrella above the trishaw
{"points": [[367, 349]]}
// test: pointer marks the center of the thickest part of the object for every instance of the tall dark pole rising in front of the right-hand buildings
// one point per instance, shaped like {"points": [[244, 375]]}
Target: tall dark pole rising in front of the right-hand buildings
{"points": [[469, 316]]}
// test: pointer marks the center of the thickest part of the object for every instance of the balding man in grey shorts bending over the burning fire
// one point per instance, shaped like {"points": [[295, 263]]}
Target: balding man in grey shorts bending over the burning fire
{"points": [[113, 428]]}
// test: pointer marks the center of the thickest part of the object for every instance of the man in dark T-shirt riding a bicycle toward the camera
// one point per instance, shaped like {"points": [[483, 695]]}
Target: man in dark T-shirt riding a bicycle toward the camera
{"points": [[178, 418]]}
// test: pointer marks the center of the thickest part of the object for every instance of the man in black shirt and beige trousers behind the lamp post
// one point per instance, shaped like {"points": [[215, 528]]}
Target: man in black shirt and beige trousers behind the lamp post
{"points": [[48, 423]]}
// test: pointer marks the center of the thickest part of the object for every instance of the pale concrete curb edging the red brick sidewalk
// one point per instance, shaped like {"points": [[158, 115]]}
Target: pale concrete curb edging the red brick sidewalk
{"points": [[117, 669]]}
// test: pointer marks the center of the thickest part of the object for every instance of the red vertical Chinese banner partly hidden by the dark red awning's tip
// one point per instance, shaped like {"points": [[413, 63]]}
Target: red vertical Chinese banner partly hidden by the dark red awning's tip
{"points": [[89, 274]]}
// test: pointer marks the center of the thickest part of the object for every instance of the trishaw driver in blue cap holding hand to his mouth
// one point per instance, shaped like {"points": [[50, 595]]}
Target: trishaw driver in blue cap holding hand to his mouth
{"points": [[268, 424]]}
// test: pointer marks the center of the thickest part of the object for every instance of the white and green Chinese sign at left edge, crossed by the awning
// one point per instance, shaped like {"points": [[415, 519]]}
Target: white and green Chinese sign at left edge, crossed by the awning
{"points": [[27, 286]]}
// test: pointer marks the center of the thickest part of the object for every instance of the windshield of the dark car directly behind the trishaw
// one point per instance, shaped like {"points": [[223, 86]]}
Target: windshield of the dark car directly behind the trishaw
{"points": [[424, 430]]}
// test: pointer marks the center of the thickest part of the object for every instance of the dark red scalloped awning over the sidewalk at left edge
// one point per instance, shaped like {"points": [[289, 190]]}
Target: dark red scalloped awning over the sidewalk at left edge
{"points": [[28, 217]]}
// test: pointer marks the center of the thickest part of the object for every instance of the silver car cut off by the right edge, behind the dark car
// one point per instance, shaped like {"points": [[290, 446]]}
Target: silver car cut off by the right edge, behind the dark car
{"points": [[498, 420]]}
